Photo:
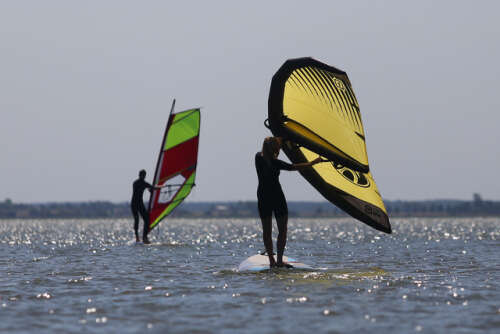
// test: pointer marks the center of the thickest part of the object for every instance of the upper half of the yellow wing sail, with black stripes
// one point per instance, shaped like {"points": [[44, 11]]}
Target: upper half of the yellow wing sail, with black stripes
{"points": [[314, 104]]}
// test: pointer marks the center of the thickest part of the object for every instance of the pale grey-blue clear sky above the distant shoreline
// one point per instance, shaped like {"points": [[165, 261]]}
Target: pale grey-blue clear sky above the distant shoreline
{"points": [[86, 89]]}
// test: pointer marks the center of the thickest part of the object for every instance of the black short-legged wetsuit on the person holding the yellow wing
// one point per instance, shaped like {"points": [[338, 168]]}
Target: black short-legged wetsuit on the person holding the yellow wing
{"points": [[269, 193]]}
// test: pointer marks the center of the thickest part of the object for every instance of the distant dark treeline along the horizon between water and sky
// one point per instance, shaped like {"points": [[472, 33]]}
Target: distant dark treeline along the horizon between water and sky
{"points": [[101, 209]]}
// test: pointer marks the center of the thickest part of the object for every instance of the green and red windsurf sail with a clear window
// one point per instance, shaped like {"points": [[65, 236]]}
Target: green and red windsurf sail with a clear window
{"points": [[176, 168]]}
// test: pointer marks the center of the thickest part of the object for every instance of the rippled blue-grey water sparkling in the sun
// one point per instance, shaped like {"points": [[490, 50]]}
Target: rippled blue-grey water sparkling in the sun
{"points": [[429, 276]]}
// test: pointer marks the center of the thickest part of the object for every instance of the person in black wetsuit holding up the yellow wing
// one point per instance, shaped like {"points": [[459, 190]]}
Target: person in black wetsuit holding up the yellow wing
{"points": [[271, 198]]}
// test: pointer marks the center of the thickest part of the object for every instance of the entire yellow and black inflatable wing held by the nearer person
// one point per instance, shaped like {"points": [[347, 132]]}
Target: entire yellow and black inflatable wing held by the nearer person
{"points": [[312, 105]]}
